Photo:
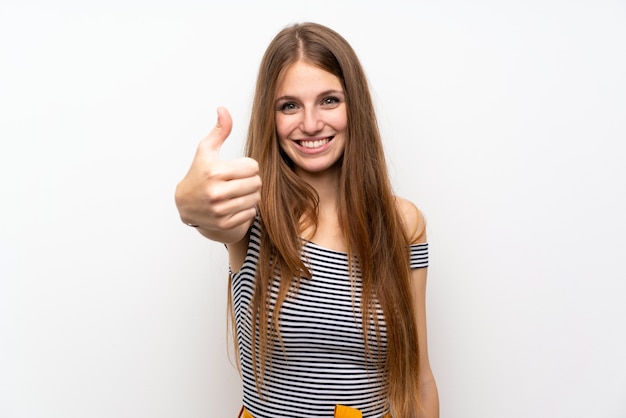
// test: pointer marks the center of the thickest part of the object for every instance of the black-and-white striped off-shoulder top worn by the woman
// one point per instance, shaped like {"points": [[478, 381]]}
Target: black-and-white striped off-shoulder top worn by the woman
{"points": [[323, 362]]}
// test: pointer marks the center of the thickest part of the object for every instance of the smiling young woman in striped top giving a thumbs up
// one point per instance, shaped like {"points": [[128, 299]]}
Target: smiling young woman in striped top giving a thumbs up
{"points": [[327, 266]]}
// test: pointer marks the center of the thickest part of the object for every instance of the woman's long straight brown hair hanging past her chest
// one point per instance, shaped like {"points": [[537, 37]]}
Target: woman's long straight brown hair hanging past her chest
{"points": [[372, 225]]}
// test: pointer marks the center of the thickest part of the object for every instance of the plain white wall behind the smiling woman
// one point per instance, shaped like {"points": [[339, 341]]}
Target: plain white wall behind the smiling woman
{"points": [[504, 122]]}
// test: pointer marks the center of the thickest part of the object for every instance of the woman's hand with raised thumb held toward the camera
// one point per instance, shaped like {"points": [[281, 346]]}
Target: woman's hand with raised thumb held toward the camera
{"points": [[219, 197]]}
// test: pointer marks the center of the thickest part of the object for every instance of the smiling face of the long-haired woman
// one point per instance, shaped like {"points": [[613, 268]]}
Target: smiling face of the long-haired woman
{"points": [[311, 118]]}
